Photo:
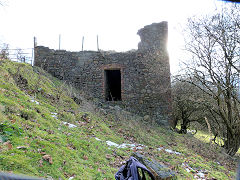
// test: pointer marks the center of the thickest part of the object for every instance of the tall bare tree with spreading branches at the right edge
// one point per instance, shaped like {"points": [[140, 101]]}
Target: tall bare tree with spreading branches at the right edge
{"points": [[214, 44]]}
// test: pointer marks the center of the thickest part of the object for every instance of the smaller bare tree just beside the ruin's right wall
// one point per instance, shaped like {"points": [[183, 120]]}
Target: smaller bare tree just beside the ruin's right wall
{"points": [[188, 104]]}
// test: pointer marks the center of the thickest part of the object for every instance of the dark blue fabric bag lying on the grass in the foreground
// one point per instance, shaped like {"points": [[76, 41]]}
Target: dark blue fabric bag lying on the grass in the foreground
{"points": [[130, 171]]}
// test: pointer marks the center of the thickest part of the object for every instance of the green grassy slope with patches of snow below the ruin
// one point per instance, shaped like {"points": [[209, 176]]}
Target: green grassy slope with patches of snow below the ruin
{"points": [[31, 132]]}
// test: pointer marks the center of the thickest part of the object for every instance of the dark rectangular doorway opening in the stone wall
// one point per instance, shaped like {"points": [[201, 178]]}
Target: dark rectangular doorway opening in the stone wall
{"points": [[113, 85]]}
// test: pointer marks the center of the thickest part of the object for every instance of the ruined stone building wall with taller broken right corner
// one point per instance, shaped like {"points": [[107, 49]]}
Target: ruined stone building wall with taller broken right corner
{"points": [[136, 80]]}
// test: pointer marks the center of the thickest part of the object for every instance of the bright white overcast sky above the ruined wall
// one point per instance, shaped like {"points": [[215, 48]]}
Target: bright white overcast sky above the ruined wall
{"points": [[116, 22]]}
